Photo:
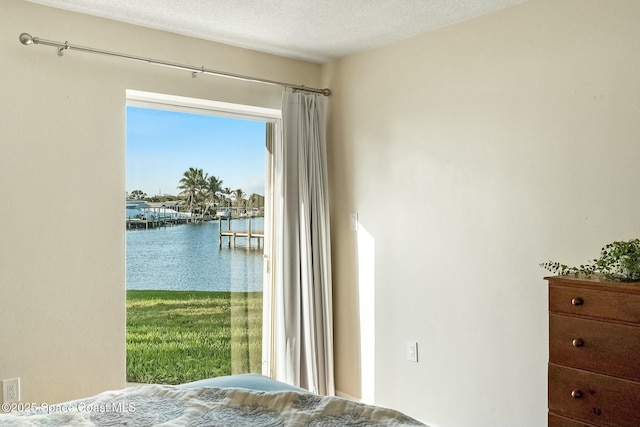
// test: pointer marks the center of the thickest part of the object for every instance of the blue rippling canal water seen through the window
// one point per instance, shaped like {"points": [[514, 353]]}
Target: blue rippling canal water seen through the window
{"points": [[187, 257]]}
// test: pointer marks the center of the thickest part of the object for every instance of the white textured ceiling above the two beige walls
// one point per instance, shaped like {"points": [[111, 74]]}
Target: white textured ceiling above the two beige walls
{"points": [[312, 30]]}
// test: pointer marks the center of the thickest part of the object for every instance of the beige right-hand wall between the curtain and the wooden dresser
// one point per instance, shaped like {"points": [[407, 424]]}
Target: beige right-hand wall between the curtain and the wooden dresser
{"points": [[472, 154]]}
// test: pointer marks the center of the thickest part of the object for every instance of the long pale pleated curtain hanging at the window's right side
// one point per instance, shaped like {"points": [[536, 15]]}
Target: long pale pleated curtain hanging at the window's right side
{"points": [[302, 328]]}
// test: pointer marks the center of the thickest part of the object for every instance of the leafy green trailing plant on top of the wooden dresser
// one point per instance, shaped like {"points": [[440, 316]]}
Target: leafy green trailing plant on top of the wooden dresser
{"points": [[618, 261]]}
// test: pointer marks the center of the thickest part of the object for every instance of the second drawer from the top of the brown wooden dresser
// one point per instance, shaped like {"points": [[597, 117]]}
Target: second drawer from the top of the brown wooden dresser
{"points": [[607, 348]]}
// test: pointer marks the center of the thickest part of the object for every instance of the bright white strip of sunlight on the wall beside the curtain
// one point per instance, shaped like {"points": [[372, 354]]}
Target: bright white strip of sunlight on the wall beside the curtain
{"points": [[366, 289]]}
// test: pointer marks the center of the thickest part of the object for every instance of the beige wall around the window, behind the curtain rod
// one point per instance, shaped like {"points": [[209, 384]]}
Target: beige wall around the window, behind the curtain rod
{"points": [[62, 174]]}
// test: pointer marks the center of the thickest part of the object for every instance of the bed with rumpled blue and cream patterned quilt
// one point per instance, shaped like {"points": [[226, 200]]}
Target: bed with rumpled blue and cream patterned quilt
{"points": [[237, 400]]}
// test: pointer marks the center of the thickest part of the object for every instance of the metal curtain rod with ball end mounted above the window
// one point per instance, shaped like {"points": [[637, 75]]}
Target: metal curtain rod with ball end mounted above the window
{"points": [[26, 39]]}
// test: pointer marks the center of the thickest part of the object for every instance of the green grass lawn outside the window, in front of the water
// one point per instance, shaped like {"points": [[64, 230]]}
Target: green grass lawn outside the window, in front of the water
{"points": [[180, 336]]}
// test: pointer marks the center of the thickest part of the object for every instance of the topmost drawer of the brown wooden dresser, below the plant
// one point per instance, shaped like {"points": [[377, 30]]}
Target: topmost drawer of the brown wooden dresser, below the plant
{"points": [[610, 305]]}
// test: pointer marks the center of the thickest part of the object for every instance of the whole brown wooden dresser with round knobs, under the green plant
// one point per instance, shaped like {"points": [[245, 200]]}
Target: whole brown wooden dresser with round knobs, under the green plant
{"points": [[594, 353]]}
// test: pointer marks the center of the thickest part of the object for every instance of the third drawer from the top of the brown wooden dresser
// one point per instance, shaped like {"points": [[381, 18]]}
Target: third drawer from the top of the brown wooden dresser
{"points": [[593, 398]]}
